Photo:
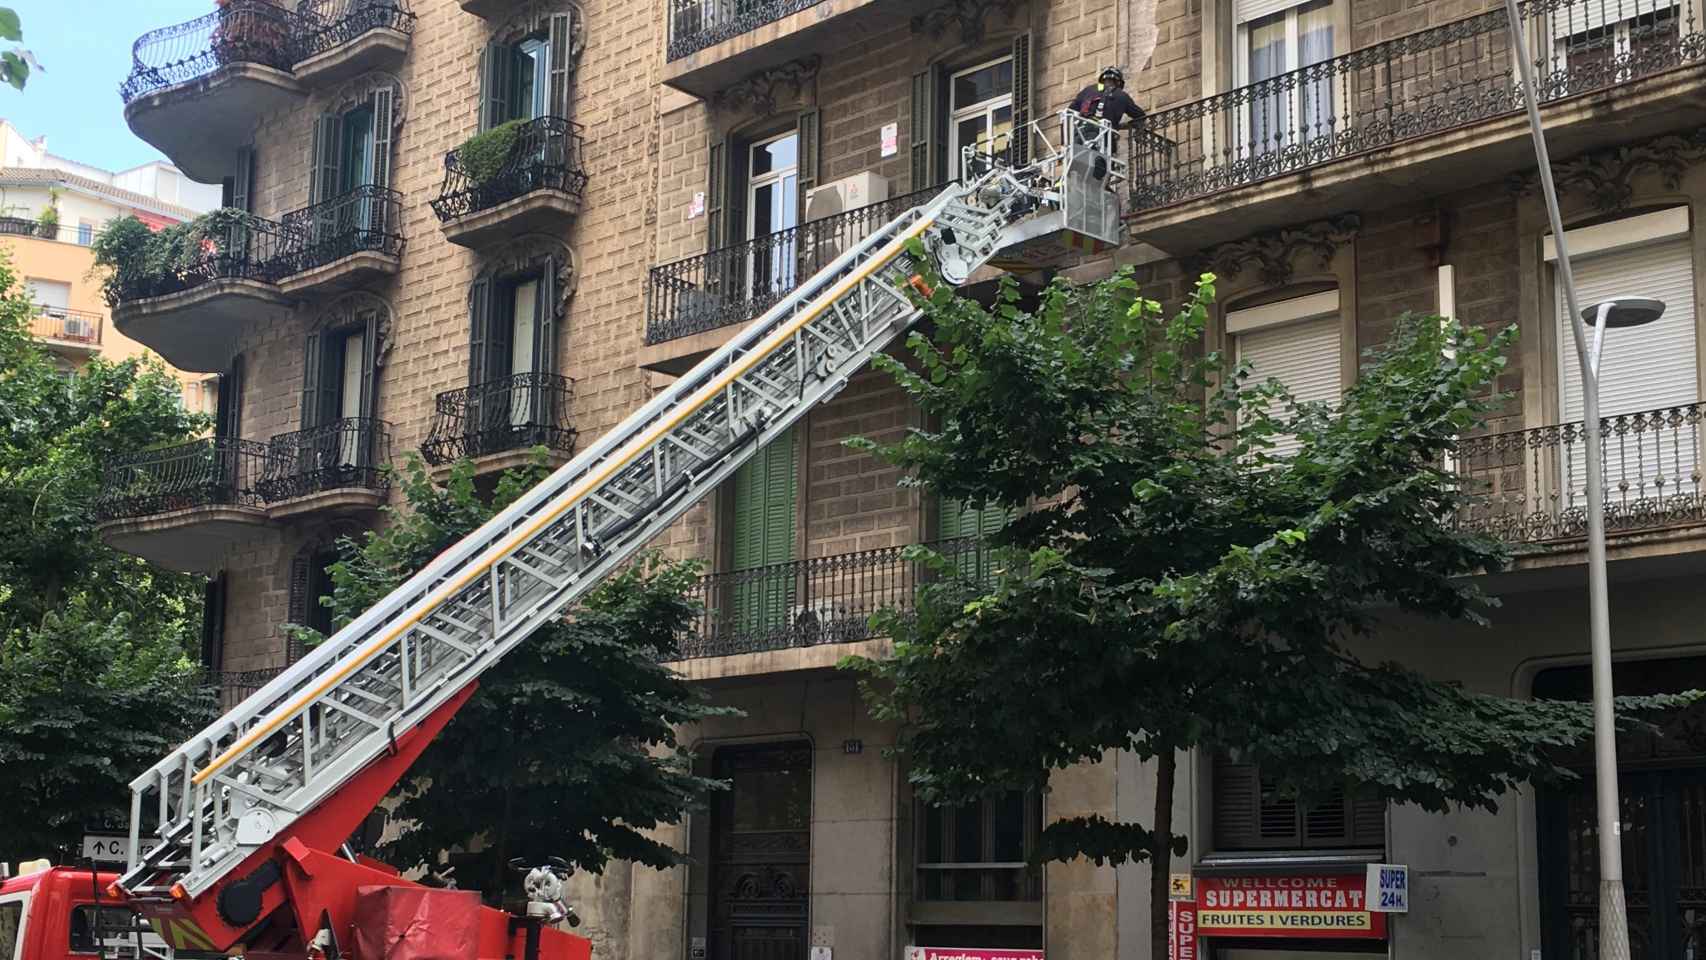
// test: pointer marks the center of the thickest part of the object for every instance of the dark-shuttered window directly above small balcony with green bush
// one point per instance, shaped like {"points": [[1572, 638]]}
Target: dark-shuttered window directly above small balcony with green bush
{"points": [[526, 78]]}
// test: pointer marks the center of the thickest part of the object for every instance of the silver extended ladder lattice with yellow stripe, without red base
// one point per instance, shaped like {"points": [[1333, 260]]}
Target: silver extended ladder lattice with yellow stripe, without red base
{"points": [[289, 748]]}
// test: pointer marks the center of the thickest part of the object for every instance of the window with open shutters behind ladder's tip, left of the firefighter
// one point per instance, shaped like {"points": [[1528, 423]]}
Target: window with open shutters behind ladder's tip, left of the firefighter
{"points": [[978, 105]]}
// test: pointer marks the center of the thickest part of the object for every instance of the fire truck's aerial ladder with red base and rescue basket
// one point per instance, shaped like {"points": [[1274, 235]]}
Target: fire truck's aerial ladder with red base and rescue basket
{"points": [[236, 838]]}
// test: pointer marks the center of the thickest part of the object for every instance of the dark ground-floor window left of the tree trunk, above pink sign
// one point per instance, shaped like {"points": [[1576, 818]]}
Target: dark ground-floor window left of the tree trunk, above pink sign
{"points": [[980, 852]]}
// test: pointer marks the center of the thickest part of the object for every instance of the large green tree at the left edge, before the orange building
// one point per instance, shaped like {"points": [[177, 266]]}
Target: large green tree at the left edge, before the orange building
{"points": [[98, 674]]}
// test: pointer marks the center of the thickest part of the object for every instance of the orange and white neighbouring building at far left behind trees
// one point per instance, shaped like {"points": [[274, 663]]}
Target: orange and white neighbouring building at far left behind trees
{"points": [[52, 257]]}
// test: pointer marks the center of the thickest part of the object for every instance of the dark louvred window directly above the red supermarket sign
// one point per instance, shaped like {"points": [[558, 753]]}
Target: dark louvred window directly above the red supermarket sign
{"points": [[1251, 814]]}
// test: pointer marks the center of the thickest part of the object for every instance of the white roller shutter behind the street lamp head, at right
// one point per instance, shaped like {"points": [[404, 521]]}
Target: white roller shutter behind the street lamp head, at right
{"points": [[1642, 369]]}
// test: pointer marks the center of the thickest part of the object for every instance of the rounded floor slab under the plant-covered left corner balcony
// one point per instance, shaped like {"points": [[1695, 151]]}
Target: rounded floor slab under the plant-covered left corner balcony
{"points": [[197, 330]]}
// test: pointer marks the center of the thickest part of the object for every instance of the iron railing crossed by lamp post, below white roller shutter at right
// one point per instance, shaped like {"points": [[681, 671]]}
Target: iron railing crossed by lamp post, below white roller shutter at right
{"points": [[1529, 487]]}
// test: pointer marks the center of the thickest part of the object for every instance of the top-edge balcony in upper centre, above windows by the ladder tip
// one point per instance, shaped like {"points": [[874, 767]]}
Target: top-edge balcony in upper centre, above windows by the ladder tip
{"points": [[717, 43]]}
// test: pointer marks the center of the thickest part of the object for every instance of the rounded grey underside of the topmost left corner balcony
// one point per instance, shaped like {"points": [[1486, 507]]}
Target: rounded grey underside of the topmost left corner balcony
{"points": [[200, 124]]}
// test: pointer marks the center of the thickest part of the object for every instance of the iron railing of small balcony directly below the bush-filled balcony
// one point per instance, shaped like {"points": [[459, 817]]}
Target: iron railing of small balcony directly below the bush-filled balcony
{"points": [[514, 413]]}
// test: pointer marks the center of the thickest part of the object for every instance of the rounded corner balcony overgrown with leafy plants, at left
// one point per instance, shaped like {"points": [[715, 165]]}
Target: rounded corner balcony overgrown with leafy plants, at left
{"points": [[192, 313]]}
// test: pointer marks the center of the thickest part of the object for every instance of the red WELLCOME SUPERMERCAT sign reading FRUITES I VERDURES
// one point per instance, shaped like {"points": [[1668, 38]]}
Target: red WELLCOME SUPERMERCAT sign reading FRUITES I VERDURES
{"points": [[1287, 906]]}
